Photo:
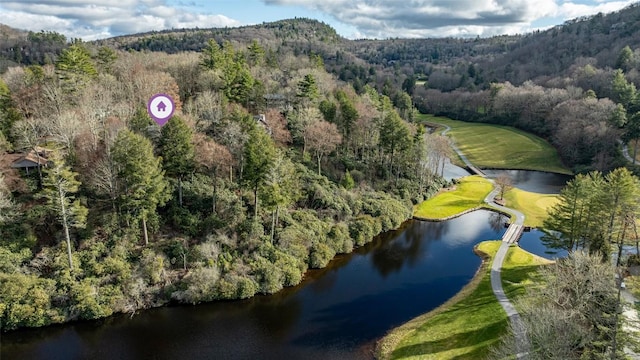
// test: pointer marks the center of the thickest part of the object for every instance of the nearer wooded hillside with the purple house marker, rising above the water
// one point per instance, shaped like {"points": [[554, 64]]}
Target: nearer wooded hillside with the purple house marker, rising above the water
{"points": [[270, 166]]}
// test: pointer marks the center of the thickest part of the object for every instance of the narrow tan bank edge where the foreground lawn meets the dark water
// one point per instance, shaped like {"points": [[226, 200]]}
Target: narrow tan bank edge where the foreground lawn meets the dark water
{"points": [[385, 346]]}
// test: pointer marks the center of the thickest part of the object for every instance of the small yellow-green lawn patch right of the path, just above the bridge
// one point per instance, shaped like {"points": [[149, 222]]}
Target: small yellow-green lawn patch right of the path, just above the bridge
{"points": [[534, 206]]}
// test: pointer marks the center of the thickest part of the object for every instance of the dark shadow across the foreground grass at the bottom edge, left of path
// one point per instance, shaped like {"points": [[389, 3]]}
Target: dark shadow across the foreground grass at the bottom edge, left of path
{"points": [[479, 341]]}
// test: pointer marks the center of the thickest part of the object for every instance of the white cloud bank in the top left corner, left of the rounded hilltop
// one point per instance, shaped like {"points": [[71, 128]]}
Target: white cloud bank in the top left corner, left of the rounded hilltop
{"points": [[95, 19]]}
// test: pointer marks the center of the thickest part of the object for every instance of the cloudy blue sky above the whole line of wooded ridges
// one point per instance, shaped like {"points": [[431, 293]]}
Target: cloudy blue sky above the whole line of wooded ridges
{"points": [[94, 19]]}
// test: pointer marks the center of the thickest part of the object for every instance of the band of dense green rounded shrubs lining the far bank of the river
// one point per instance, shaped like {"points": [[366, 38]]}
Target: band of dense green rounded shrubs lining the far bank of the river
{"points": [[112, 285]]}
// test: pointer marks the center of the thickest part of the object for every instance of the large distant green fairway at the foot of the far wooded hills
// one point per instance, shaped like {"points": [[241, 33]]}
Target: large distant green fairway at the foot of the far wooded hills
{"points": [[501, 147]]}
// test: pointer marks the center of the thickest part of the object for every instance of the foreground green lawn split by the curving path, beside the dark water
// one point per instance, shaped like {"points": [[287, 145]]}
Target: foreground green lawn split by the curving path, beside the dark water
{"points": [[468, 325]]}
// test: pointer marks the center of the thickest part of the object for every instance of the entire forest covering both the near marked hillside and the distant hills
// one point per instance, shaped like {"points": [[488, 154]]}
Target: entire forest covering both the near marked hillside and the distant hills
{"points": [[289, 145]]}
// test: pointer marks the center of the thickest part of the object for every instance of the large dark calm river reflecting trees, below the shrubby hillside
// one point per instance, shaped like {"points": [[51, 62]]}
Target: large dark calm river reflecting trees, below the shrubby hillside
{"points": [[337, 313]]}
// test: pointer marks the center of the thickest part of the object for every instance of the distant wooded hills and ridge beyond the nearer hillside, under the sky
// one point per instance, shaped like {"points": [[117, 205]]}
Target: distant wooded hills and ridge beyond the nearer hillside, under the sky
{"points": [[571, 84]]}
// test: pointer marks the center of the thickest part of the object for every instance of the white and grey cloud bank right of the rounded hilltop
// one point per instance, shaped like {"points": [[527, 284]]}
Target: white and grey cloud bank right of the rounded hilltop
{"points": [[438, 18]]}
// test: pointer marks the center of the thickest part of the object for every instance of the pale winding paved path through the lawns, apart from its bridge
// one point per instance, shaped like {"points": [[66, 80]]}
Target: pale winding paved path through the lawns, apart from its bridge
{"points": [[522, 344]]}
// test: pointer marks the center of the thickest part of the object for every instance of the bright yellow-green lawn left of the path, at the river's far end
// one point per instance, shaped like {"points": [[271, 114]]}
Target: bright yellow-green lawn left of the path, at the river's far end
{"points": [[469, 194]]}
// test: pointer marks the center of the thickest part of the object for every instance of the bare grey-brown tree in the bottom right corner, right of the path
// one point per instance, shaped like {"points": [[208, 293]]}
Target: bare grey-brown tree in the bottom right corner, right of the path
{"points": [[572, 314]]}
